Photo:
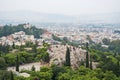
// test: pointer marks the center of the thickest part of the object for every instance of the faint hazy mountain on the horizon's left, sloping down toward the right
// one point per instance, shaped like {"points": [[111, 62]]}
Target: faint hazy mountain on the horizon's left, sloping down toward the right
{"points": [[33, 17]]}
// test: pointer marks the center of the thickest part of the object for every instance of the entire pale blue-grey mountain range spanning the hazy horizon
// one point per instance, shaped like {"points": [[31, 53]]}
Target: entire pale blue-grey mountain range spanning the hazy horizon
{"points": [[38, 17]]}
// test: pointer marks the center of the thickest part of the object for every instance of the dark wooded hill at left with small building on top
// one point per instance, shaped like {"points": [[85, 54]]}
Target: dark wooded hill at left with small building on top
{"points": [[9, 29]]}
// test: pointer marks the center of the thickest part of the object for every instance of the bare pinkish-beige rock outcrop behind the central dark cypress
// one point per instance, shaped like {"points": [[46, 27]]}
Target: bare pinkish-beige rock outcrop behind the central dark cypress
{"points": [[58, 52]]}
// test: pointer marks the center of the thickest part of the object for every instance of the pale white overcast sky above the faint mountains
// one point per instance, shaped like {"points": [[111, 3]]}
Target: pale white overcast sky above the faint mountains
{"points": [[69, 7]]}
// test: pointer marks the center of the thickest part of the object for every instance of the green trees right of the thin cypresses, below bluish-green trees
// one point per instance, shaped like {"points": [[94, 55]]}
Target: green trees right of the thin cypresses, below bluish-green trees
{"points": [[107, 61]]}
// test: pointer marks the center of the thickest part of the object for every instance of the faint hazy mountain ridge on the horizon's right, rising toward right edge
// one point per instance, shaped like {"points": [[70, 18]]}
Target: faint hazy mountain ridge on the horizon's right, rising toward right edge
{"points": [[100, 18]]}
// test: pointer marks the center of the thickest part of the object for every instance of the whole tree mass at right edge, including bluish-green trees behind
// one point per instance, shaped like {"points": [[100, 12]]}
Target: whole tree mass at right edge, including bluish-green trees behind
{"points": [[107, 57]]}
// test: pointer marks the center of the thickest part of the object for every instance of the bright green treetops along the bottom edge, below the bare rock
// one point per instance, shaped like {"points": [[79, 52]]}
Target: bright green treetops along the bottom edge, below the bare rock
{"points": [[66, 73]]}
